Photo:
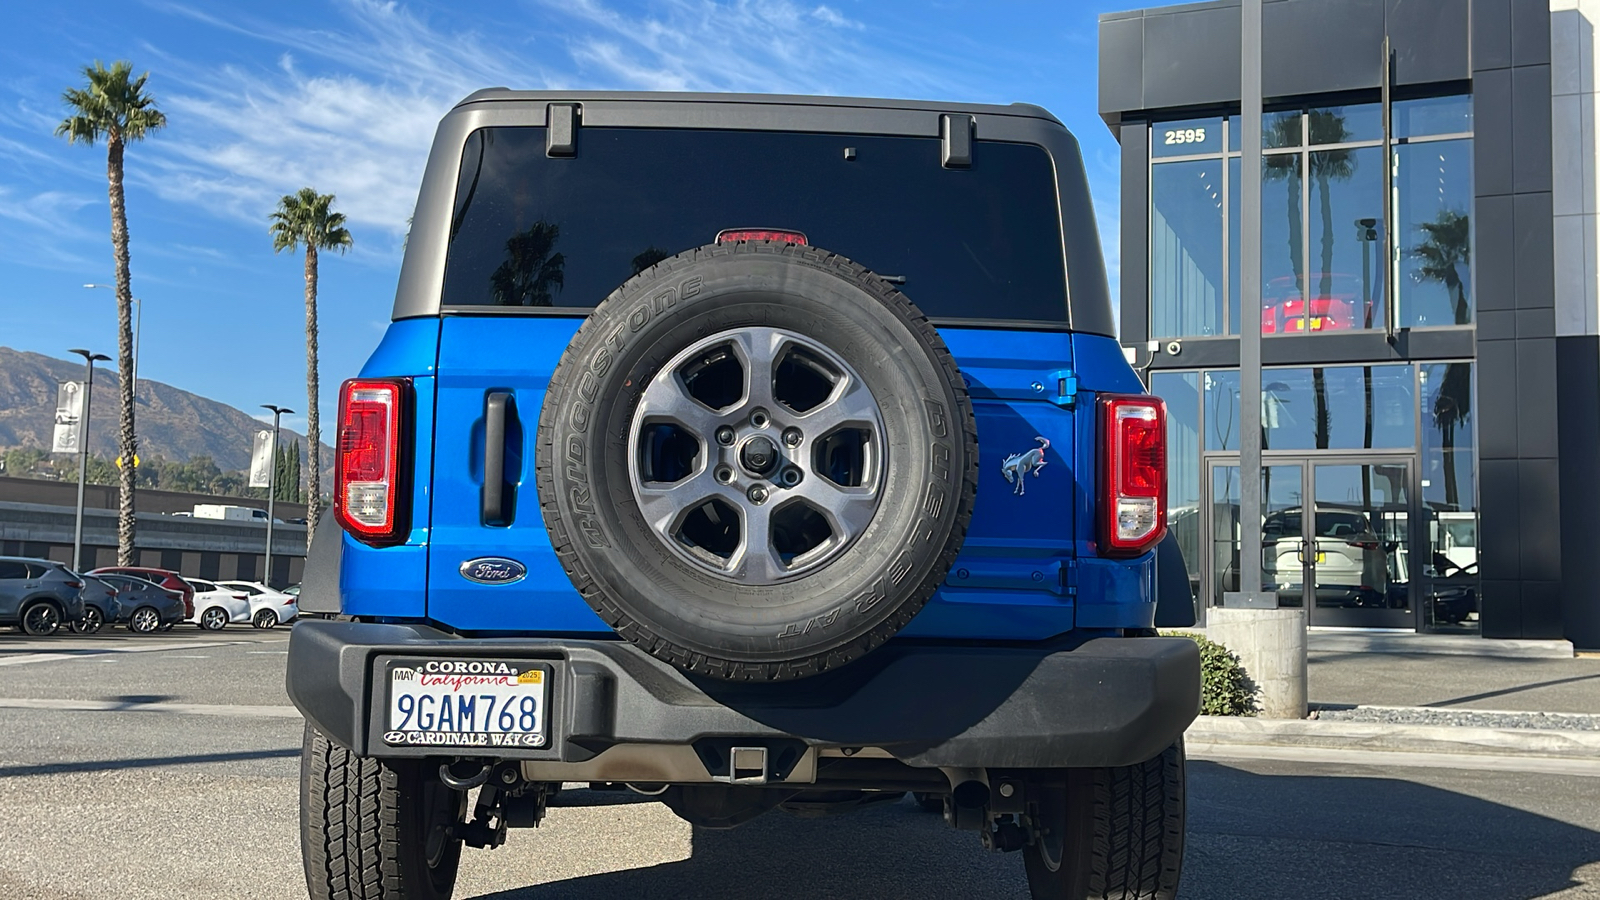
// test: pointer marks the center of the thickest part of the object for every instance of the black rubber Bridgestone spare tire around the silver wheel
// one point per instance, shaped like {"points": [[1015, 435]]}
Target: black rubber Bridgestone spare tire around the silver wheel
{"points": [[801, 624]]}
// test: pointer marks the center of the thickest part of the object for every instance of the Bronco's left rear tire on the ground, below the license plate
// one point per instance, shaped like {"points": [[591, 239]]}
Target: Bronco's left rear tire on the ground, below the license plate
{"points": [[366, 827]]}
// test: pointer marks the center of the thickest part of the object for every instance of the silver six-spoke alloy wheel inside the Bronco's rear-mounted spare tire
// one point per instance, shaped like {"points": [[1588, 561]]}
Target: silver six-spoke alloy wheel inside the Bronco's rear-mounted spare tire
{"points": [[758, 454]]}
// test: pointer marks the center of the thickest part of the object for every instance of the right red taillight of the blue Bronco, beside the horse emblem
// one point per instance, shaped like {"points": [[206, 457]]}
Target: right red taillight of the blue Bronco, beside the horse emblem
{"points": [[1134, 480]]}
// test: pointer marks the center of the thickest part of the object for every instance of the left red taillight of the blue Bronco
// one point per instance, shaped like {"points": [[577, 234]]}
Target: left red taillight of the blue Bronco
{"points": [[367, 476]]}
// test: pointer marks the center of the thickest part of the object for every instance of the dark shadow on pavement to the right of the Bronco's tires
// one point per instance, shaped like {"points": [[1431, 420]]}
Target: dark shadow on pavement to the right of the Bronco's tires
{"points": [[1337, 837]]}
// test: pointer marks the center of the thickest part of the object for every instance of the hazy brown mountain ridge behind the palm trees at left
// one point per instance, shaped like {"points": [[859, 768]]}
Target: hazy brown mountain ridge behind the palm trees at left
{"points": [[170, 422]]}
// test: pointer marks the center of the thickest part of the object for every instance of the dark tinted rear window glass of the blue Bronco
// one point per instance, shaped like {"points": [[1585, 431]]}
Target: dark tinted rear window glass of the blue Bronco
{"points": [[983, 243]]}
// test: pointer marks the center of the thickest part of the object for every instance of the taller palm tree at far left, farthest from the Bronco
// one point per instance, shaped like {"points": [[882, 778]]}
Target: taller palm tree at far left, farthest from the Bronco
{"points": [[114, 108]]}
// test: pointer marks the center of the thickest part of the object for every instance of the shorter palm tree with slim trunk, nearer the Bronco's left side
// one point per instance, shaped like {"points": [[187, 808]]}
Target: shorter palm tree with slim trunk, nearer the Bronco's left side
{"points": [[308, 219]]}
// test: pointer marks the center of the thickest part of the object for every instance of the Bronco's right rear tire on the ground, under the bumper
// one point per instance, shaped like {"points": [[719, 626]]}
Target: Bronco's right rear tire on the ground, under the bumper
{"points": [[1122, 832]]}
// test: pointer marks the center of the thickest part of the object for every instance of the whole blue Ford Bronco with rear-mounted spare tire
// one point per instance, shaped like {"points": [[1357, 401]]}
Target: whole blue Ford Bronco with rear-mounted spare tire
{"points": [[746, 452]]}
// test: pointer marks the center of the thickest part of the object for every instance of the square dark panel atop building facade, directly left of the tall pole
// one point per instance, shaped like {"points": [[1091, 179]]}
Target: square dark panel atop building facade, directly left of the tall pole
{"points": [[1191, 58]]}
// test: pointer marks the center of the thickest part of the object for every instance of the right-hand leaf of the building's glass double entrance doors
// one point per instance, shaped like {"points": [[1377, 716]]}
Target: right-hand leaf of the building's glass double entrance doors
{"points": [[1359, 548]]}
